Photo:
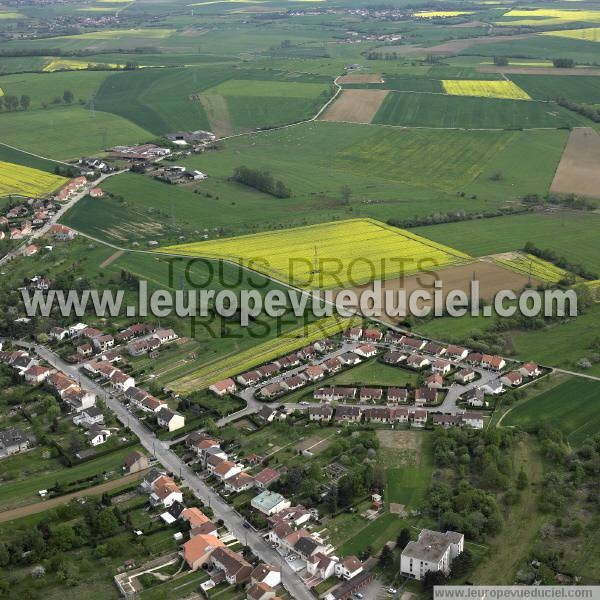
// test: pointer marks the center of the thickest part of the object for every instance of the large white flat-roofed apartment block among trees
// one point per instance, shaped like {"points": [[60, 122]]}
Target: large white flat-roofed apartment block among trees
{"points": [[433, 551]]}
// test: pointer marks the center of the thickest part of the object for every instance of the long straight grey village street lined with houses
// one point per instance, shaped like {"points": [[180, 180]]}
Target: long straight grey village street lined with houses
{"points": [[233, 520]]}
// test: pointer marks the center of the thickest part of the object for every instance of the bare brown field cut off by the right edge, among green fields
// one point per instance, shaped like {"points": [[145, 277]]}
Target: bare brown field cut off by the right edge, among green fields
{"points": [[579, 168]]}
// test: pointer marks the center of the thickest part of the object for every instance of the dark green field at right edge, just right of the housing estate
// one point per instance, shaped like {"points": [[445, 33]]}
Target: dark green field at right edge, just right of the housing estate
{"points": [[573, 407]]}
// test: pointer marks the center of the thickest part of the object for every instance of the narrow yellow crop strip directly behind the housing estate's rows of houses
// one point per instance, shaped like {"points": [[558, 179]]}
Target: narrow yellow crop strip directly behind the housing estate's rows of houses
{"points": [[240, 362]]}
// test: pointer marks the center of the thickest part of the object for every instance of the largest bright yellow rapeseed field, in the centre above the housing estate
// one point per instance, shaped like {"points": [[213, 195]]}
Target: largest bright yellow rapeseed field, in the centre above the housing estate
{"points": [[329, 254]]}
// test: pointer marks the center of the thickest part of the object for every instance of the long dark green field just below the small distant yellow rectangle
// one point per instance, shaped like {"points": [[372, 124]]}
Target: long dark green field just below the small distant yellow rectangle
{"points": [[432, 110]]}
